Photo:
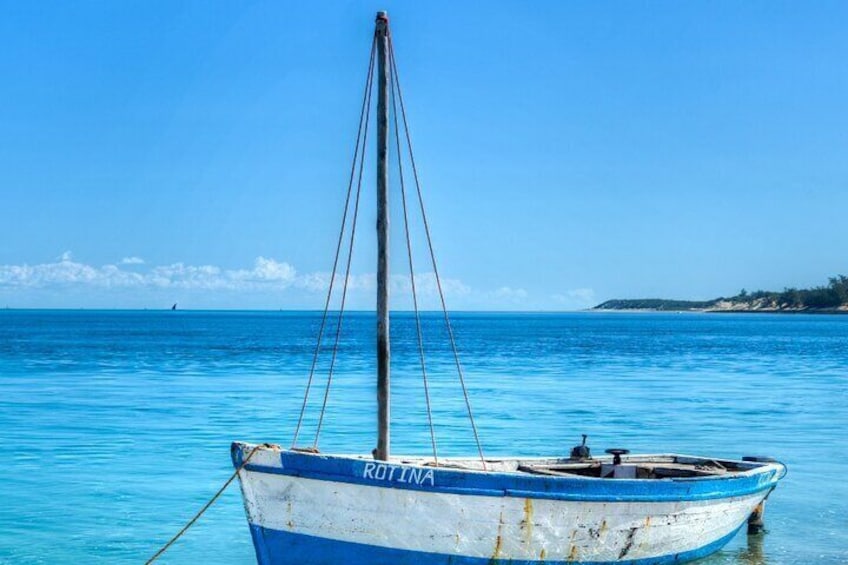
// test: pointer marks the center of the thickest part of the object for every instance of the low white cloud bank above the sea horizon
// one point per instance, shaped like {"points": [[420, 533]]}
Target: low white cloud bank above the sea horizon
{"points": [[268, 283]]}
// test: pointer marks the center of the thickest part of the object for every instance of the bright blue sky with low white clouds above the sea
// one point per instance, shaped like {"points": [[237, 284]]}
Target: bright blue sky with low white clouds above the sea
{"points": [[198, 153]]}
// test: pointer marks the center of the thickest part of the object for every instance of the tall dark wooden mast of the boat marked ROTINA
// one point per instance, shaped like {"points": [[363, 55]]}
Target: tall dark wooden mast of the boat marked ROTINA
{"points": [[383, 351]]}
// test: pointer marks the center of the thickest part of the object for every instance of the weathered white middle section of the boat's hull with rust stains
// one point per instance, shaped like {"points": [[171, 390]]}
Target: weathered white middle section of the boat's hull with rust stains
{"points": [[467, 528]]}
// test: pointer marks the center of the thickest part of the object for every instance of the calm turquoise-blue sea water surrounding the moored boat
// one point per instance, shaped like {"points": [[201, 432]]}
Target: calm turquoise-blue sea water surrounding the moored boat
{"points": [[117, 425]]}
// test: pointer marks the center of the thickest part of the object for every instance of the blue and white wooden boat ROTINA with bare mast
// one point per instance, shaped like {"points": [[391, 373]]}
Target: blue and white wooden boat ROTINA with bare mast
{"points": [[307, 507]]}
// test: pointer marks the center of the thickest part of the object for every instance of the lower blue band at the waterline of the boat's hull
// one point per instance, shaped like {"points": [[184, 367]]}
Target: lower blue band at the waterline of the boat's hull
{"points": [[274, 547]]}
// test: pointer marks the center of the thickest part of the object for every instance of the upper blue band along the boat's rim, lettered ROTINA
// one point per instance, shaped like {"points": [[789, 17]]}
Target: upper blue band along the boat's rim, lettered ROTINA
{"points": [[452, 481]]}
